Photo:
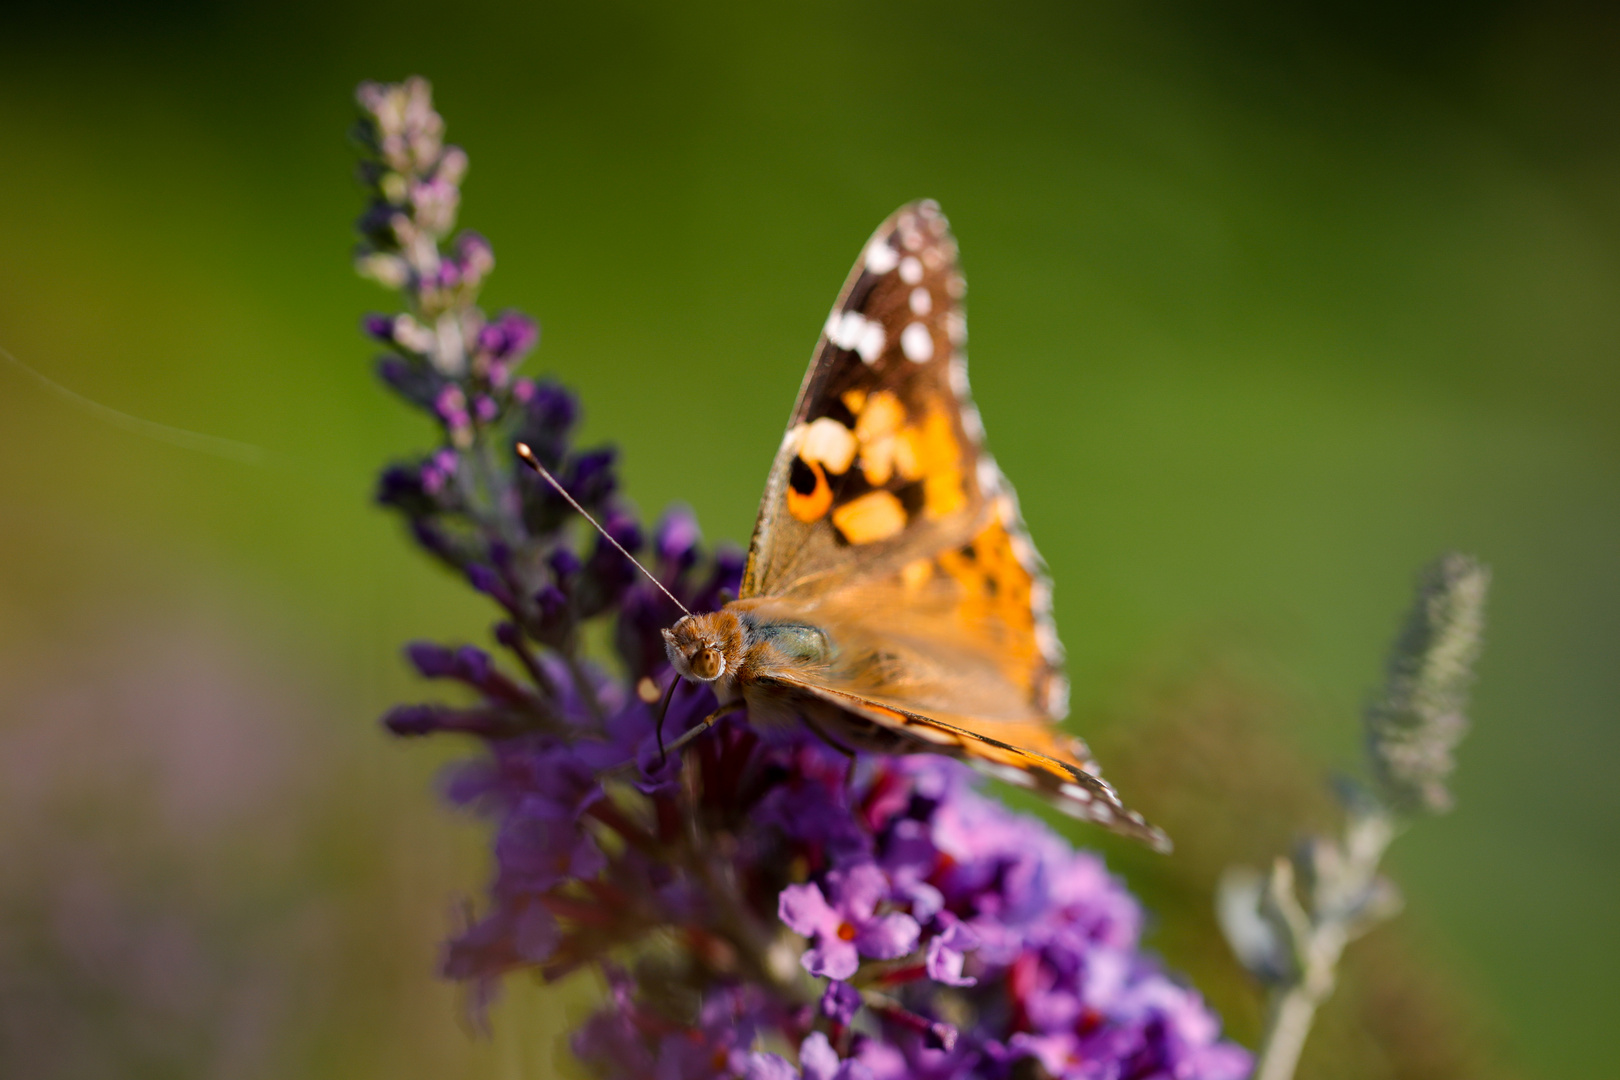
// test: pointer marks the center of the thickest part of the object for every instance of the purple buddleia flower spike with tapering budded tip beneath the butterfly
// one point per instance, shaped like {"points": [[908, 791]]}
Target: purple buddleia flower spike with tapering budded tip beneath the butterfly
{"points": [[756, 908]]}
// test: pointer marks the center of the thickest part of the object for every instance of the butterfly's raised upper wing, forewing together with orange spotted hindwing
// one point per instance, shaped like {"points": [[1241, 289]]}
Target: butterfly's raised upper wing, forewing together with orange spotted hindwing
{"points": [[884, 478]]}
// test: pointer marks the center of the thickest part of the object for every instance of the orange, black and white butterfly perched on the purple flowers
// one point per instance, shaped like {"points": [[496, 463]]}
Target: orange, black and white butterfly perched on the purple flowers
{"points": [[892, 595]]}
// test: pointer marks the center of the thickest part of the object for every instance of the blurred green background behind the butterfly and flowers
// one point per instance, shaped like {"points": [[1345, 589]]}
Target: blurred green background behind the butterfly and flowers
{"points": [[1271, 305]]}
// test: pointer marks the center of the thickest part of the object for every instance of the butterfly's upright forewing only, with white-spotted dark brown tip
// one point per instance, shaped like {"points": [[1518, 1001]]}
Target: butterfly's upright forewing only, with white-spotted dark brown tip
{"points": [[879, 448]]}
